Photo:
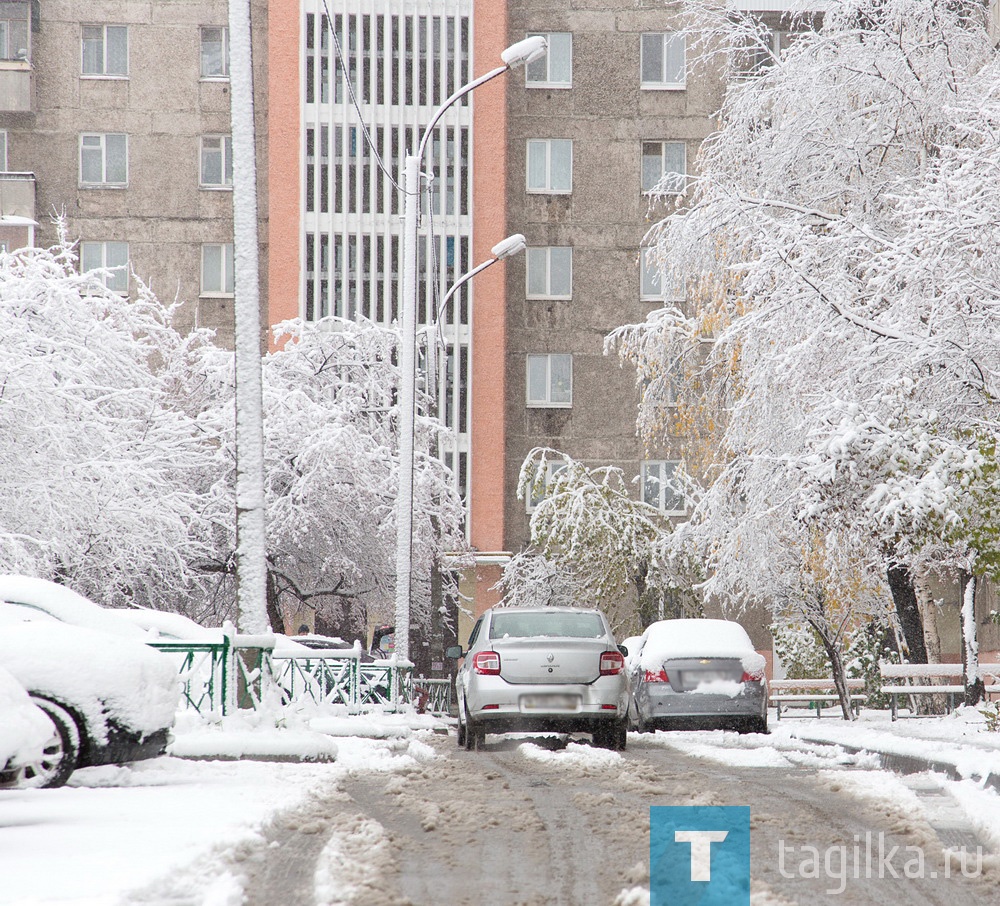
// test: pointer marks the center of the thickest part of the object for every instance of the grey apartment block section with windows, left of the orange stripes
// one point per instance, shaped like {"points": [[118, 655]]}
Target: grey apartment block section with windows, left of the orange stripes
{"points": [[114, 118]]}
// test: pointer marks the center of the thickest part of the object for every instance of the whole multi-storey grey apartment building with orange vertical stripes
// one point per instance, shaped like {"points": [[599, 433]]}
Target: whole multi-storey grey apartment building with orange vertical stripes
{"points": [[114, 116]]}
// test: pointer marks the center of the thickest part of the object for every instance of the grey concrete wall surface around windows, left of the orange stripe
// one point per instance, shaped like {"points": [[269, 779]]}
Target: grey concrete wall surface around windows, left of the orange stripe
{"points": [[164, 107]]}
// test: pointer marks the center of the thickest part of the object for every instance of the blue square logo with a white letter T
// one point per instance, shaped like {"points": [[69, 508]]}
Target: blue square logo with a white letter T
{"points": [[699, 855]]}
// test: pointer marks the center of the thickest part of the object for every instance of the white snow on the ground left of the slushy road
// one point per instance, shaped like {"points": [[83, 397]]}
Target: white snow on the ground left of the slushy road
{"points": [[164, 830]]}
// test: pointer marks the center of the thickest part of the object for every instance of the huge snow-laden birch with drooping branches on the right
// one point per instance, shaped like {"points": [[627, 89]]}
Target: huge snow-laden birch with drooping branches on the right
{"points": [[818, 249]]}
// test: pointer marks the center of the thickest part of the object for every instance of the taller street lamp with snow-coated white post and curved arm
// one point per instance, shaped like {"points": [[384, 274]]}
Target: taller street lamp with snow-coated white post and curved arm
{"points": [[519, 54]]}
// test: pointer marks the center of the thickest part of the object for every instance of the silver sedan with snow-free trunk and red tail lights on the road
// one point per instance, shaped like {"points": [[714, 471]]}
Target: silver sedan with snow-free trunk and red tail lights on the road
{"points": [[548, 669]]}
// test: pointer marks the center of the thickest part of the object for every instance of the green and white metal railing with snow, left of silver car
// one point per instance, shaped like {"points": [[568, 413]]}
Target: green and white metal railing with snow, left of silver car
{"points": [[242, 671]]}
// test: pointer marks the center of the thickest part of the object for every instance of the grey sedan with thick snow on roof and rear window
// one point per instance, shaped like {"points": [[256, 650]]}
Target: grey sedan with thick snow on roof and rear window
{"points": [[699, 673]]}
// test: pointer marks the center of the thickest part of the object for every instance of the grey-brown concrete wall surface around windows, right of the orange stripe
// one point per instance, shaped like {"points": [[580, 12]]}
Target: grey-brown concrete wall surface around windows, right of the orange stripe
{"points": [[607, 115]]}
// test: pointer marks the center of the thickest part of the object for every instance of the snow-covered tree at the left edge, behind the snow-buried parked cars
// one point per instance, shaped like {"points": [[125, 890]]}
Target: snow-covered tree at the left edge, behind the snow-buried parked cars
{"points": [[101, 465]]}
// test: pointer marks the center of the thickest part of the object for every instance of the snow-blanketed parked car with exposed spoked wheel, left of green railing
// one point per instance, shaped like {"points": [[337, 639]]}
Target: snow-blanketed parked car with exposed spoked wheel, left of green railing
{"points": [[112, 700]]}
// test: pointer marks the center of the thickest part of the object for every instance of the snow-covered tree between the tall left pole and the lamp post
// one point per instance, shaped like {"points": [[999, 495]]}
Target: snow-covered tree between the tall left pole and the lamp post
{"points": [[331, 466]]}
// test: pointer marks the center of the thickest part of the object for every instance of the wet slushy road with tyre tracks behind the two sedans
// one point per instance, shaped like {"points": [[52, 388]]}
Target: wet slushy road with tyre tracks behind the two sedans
{"points": [[538, 823]]}
